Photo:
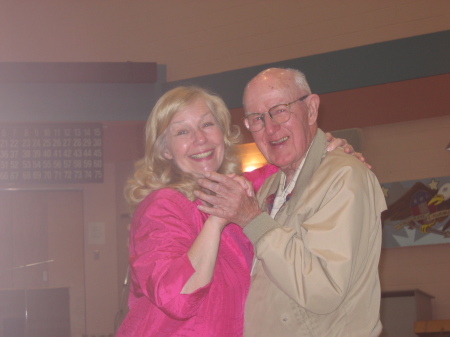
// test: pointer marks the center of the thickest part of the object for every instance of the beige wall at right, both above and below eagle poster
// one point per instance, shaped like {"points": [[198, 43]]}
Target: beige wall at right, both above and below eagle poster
{"points": [[410, 151]]}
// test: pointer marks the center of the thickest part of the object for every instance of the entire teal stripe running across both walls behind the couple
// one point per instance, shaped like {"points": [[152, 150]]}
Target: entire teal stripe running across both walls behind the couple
{"points": [[386, 62]]}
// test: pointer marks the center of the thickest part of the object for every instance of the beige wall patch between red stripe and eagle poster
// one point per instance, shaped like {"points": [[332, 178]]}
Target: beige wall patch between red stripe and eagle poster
{"points": [[409, 150]]}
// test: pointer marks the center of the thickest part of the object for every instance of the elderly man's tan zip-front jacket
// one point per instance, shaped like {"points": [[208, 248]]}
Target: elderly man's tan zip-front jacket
{"points": [[316, 272]]}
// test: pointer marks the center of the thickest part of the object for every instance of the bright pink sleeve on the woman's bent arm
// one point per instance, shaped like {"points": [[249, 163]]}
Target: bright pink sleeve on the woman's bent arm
{"points": [[160, 238]]}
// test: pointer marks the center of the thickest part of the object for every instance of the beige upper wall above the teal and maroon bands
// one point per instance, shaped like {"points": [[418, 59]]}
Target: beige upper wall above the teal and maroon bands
{"points": [[199, 37]]}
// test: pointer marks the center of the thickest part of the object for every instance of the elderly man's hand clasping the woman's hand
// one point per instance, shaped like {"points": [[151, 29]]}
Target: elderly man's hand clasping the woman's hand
{"points": [[234, 199]]}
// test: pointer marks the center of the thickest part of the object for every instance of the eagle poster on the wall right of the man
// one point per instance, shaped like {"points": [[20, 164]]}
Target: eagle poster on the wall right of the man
{"points": [[418, 212]]}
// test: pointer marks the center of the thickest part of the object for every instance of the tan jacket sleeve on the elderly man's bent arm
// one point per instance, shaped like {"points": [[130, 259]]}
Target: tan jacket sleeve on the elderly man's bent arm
{"points": [[323, 249]]}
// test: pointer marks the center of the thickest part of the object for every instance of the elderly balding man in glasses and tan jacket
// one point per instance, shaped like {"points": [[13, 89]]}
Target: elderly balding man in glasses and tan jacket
{"points": [[315, 225]]}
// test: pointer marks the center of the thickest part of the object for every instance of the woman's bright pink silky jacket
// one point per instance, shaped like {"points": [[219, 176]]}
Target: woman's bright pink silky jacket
{"points": [[162, 230]]}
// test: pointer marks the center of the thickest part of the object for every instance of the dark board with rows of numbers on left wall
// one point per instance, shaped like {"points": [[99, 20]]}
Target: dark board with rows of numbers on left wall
{"points": [[51, 153]]}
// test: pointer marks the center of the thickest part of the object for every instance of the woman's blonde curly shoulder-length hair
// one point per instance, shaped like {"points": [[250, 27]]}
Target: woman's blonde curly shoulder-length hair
{"points": [[153, 171]]}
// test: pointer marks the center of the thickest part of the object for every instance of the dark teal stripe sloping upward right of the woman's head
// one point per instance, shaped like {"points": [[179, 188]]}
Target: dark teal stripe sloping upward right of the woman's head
{"points": [[380, 63]]}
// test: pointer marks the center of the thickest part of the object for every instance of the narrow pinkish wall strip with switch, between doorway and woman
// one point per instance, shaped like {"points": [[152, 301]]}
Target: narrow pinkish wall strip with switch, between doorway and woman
{"points": [[101, 274]]}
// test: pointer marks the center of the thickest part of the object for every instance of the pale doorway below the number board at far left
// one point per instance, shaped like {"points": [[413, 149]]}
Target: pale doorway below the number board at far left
{"points": [[42, 248]]}
